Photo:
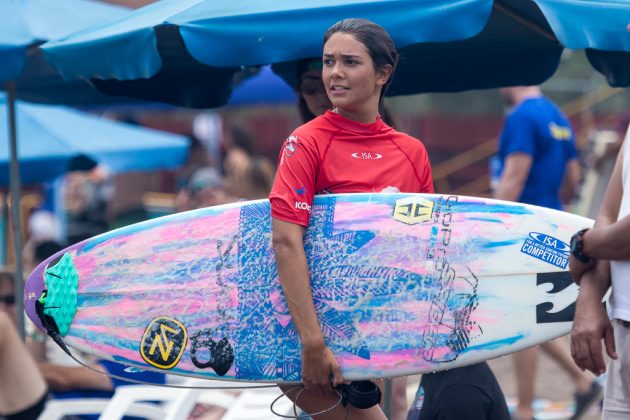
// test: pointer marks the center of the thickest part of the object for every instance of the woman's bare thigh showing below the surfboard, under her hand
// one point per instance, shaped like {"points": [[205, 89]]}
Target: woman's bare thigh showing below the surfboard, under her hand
{"points": [[311, 403]]}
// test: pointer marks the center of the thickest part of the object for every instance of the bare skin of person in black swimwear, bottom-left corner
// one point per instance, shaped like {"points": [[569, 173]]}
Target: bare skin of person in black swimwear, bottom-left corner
{"points": [[21, 384]]}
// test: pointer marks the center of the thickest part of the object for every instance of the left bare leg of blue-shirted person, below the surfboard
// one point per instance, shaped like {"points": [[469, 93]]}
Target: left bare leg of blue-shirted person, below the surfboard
{"points": [[525, 364]]}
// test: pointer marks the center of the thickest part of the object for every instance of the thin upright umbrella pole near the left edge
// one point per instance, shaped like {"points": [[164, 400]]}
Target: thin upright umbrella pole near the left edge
{"points": [[15, 208]]}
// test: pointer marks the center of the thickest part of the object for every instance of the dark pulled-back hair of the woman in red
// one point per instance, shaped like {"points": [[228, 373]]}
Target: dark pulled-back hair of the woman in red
{"points": [[377, 41]]}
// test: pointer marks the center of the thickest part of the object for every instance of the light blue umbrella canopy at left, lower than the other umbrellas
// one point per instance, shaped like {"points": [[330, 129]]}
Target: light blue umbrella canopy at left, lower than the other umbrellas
{"points": [[50, 136]]}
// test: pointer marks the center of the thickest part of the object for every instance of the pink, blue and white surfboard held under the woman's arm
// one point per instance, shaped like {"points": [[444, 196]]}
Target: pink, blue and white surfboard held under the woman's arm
{"points": [[402, 284]]}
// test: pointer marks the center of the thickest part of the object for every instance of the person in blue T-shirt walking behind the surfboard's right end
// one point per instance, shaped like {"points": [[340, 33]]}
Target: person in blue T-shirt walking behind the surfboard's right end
{"points": [[537, 164]]}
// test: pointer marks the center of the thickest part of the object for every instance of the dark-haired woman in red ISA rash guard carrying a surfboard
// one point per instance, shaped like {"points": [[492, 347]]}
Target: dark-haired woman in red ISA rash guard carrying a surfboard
{"points": [[347, 150]]}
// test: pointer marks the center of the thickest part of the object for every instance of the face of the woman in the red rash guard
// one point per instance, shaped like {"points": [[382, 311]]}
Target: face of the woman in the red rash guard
{"points": [[351, 81]]}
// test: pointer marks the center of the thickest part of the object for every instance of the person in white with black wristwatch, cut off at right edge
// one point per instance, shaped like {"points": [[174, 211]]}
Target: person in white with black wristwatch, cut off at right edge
{"points": [[600, 258]]}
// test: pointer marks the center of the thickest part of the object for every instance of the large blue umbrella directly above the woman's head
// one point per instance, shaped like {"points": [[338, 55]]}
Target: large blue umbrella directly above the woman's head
{"points": [[187, 52]]}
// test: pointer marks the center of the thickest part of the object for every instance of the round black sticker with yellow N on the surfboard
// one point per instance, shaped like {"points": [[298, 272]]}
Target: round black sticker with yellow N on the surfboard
{"points": [[163, 342]]}
